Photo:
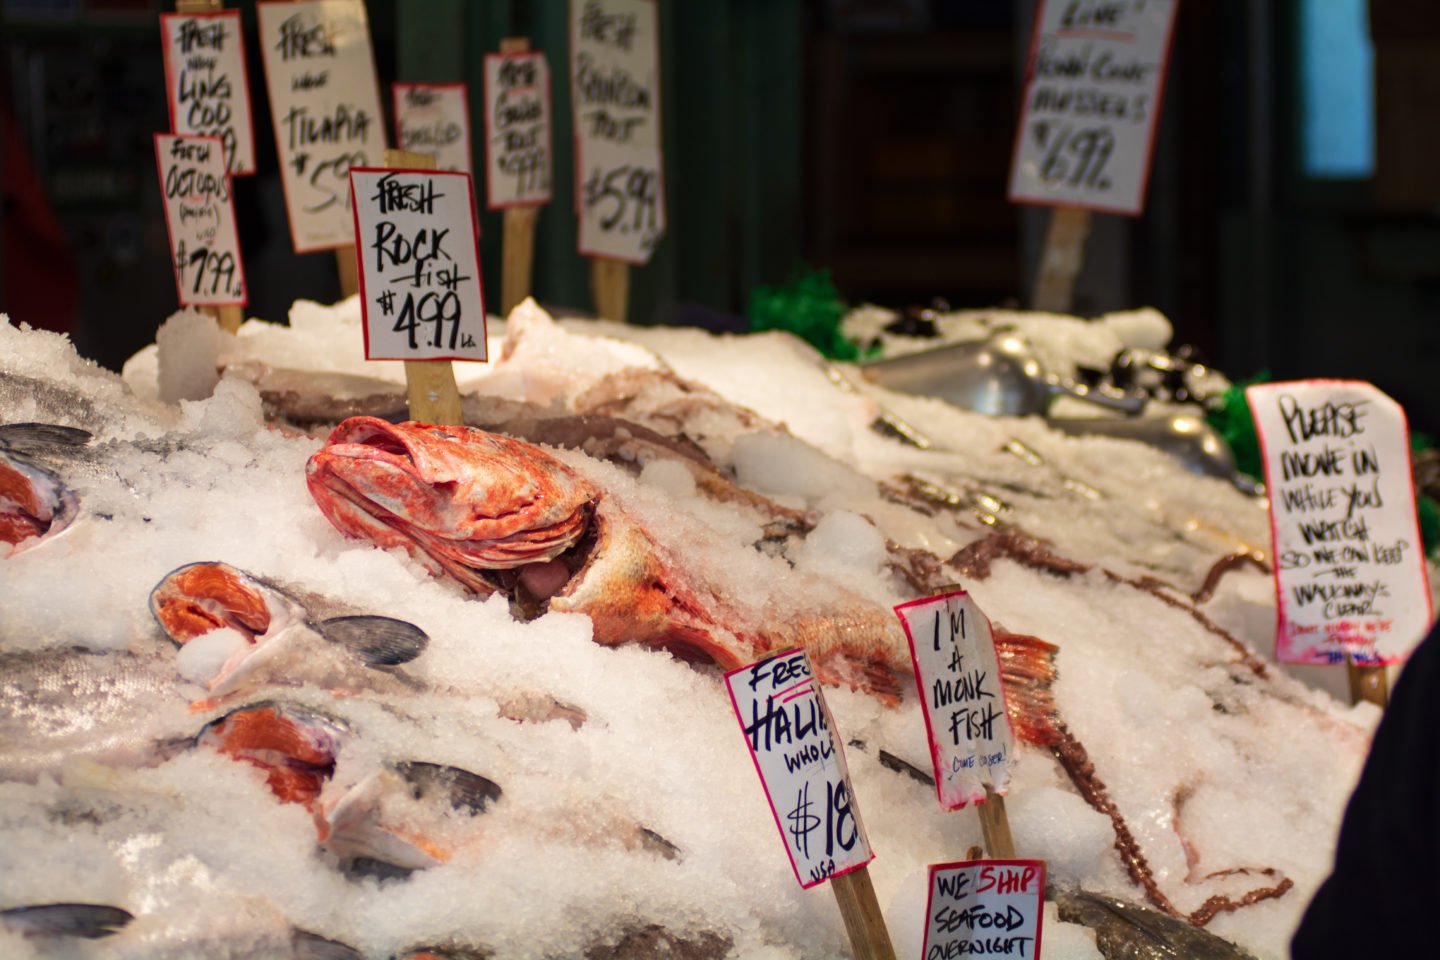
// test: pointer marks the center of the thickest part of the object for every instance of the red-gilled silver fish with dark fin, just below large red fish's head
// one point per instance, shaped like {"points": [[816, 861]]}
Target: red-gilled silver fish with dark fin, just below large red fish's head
{"points": [[266, 637]]}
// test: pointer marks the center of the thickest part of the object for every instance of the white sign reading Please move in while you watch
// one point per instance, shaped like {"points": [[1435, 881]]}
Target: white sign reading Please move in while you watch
{"points": [[1349, 562]]}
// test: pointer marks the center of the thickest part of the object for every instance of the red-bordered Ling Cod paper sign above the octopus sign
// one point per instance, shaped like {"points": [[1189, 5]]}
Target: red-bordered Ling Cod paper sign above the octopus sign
{"points": [[207, 83]]}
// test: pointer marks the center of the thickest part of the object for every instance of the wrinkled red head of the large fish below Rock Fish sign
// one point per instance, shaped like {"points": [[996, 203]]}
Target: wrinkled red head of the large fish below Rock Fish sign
{"points": [[463, 502]]}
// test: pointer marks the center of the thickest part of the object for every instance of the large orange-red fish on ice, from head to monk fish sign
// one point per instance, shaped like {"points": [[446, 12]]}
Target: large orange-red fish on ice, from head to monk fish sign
{"points": [[499, 515]]}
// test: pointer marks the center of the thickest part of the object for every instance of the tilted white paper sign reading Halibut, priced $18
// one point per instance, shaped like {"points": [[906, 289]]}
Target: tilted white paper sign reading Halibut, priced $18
{"points": [[801, 766]]}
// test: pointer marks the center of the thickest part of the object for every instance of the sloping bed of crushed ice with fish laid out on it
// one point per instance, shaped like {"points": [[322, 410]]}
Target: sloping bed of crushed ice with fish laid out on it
{"points": [[284, 677]]}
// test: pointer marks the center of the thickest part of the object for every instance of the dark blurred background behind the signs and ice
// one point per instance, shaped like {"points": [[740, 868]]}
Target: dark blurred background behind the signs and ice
{"points": [[869, 137]]}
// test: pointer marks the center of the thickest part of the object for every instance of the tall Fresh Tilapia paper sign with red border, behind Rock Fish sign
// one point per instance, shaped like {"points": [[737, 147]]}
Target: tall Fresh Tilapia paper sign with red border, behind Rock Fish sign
{"points": [[326, 107]]}
